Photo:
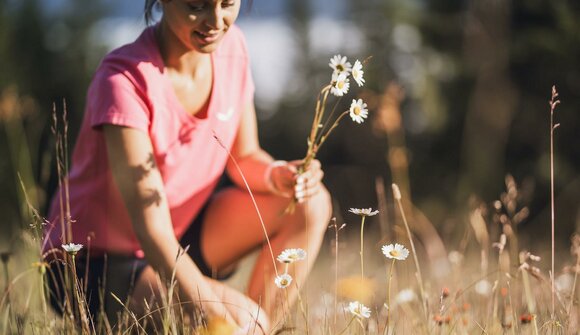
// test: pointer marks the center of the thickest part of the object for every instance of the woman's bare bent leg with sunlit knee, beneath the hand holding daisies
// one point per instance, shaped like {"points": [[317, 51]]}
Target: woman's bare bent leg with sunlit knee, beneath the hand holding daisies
{"points": [[232, 228]]}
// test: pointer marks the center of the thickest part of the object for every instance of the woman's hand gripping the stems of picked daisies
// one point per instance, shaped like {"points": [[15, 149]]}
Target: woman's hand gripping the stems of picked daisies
{"points": [[285, 180]]}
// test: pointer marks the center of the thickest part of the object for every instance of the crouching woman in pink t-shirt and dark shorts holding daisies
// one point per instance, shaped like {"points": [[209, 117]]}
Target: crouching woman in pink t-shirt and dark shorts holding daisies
{"points": [[148, 158]]}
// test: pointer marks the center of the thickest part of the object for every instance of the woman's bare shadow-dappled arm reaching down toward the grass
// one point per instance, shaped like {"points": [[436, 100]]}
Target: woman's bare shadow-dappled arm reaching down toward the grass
{"points": [[134, 170]]}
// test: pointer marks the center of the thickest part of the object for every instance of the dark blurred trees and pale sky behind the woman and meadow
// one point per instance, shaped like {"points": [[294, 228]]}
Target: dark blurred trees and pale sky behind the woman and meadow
{"points": [[458, 94]]}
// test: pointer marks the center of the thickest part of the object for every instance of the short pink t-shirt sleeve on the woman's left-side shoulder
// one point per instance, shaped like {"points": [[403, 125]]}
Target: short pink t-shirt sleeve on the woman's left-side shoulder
{"points": [[114, 99]]}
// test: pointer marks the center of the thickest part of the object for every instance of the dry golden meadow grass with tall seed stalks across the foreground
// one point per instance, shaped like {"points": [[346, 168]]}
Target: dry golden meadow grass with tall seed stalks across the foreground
{"points": [[490, 288]]}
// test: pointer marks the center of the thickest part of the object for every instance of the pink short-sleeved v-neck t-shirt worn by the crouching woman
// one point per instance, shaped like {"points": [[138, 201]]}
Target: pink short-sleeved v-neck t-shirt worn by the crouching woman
{"points": [[130, 89]]}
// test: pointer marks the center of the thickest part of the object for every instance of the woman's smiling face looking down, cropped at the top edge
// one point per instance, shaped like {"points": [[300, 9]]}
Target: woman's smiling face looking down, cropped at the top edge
{"points": [[200, 24]]}
